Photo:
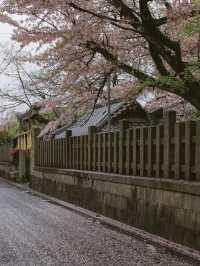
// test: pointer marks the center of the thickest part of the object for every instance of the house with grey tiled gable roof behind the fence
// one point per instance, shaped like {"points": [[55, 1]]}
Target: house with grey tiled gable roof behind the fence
{"points": [[132, 111]]}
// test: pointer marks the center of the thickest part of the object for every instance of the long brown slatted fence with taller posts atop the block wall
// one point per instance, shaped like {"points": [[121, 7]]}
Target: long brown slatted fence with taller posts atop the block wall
{"points": [[169, 150]]}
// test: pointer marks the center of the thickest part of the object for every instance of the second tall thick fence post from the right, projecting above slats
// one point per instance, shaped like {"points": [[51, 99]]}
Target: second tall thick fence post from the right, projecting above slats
{"points": [[122, 150]]}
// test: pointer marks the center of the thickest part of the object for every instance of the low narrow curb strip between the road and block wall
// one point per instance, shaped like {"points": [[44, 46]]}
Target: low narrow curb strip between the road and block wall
{"points": [[148, 238]]}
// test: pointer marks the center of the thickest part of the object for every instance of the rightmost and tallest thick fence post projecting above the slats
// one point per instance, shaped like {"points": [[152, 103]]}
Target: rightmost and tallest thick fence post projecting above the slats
{"points": [[169, 124]]}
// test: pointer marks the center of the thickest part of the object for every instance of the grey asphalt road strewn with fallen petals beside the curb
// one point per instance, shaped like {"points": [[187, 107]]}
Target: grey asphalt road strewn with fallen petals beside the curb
{"points": [[34, 231]]}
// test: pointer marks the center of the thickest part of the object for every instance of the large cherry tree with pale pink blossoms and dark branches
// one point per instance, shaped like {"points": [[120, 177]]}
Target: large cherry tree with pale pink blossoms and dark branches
{"points": [[80, 44]]}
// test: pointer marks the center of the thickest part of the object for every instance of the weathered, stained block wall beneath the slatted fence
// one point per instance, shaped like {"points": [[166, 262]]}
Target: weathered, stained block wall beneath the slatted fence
{"points": [[169, 208]]}
